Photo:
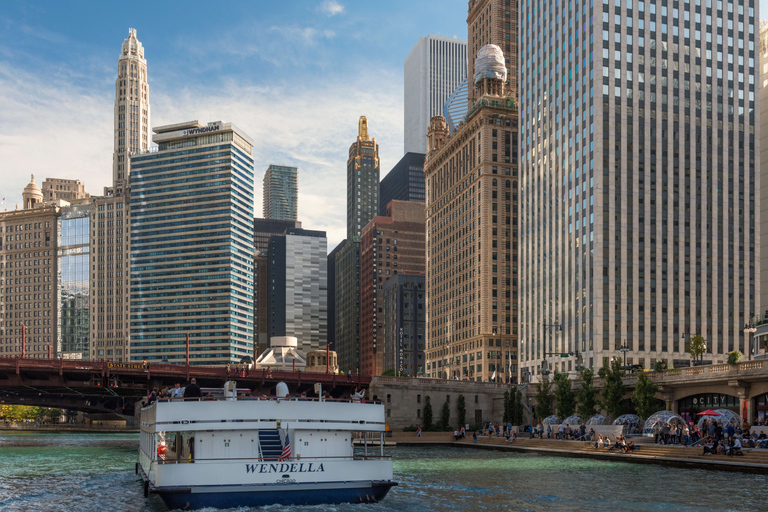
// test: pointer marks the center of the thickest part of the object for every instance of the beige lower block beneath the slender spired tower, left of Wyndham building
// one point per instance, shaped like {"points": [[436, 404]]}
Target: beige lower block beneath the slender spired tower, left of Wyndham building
{"points": [[110, 279]]}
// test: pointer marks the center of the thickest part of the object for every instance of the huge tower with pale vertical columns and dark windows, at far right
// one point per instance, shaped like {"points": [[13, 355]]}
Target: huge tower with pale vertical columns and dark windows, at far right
{"points": [[638, 160]]}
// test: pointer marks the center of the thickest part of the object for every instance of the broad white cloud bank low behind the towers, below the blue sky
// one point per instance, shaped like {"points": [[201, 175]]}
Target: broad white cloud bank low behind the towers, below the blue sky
{"points": [[52, 129]]}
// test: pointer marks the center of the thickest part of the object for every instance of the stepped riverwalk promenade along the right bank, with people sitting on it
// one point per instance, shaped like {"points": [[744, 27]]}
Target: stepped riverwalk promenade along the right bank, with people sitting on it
{"points": [[754, 460]]}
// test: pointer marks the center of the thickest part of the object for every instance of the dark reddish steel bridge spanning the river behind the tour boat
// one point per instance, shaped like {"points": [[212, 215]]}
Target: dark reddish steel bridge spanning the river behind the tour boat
{"points": [[103, 386]]}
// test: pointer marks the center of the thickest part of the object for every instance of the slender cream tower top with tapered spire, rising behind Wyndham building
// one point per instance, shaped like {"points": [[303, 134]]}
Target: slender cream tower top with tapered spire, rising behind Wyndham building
{"points": [[131, 109]]}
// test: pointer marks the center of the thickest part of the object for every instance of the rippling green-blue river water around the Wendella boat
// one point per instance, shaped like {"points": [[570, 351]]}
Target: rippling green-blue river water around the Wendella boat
{"points": [[95, 472]]}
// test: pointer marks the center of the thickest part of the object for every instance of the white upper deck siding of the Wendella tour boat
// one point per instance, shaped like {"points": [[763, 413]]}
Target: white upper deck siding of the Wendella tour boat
{"points": [[199, 414]]}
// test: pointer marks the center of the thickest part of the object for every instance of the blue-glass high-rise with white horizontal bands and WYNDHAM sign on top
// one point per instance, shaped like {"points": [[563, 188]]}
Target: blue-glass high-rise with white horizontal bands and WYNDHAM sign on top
{"points": [[192, 245]]}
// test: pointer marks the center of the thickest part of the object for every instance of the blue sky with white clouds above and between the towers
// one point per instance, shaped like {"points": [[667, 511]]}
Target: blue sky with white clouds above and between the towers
{"points": [[295, 76]]}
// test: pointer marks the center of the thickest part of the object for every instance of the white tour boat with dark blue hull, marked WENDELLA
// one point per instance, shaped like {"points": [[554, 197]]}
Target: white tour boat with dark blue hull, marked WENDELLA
{"points": [[246, 452]]}
